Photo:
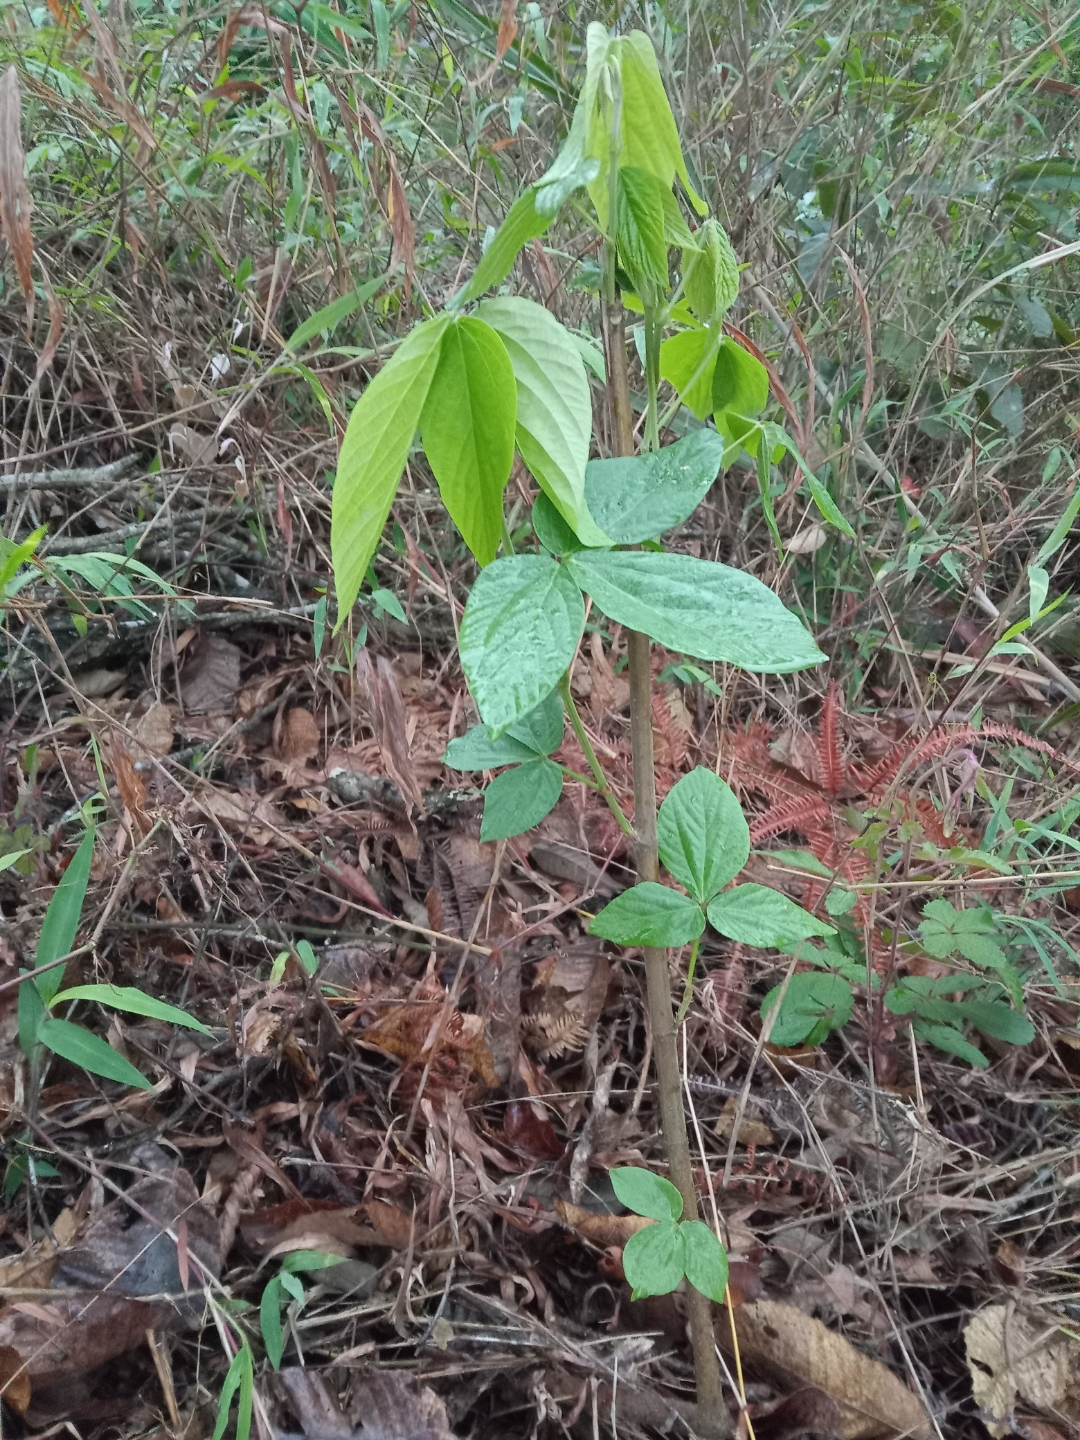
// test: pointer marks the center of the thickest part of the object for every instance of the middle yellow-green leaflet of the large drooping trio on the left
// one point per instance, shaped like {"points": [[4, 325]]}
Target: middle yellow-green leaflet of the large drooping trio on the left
{"points": [[467, 427]]}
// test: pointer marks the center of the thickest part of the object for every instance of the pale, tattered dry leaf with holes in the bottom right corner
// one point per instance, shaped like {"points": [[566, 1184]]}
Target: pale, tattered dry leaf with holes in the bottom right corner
{"points": [[1017, 1356]]}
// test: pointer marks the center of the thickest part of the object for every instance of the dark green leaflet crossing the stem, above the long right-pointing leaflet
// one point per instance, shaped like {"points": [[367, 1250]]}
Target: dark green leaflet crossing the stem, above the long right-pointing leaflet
{"points": [[639, 498]]}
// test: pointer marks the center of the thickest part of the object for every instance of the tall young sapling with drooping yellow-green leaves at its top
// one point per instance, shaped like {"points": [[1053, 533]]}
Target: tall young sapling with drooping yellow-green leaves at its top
{"points": [[506, 377]]}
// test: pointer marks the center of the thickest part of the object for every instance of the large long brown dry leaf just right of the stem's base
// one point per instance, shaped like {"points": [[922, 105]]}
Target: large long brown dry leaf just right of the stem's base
{"points": [[801, 1351]]}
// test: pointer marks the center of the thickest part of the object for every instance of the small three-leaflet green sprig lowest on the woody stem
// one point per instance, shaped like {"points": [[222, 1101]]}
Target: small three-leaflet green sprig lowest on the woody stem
{"points": [[660, 1256]]}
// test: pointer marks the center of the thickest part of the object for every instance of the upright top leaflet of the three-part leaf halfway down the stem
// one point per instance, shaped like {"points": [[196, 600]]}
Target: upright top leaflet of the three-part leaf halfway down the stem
{"points": [[702, 833]]}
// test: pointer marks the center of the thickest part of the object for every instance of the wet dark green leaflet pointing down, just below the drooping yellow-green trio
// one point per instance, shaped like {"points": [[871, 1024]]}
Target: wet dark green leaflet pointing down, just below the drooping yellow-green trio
{"points": [[519, 634]]}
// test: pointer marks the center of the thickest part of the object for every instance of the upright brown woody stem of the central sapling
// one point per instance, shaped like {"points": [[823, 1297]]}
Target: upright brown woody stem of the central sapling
{"points": [[712, 1416]]}
